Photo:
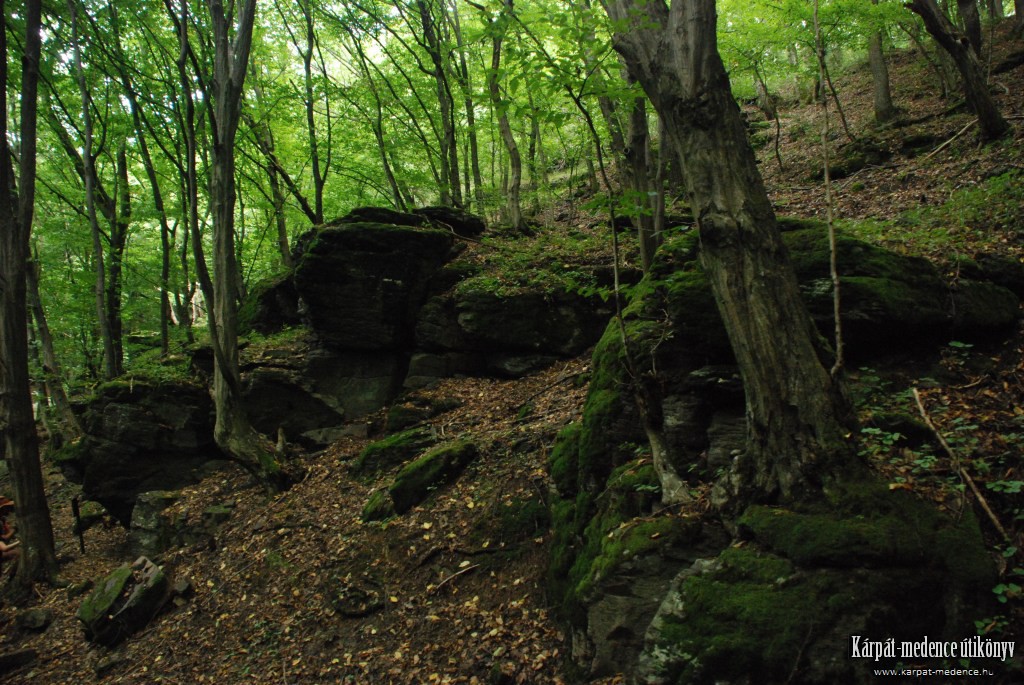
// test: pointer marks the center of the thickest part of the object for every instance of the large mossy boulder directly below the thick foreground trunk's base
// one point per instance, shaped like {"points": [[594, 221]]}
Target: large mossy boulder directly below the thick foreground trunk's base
{"points": [[782, 606]]}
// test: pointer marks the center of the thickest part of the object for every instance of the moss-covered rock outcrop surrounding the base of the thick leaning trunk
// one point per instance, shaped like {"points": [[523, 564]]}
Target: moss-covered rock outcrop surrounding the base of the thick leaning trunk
{"points": [[793, 581]]}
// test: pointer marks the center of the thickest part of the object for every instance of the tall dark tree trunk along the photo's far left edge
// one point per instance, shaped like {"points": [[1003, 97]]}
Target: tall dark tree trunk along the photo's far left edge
{"points": [[38, 560]]}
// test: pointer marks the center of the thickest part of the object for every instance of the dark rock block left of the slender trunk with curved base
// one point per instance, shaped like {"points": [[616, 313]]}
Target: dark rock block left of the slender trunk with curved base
{"points": [[140, 437]]}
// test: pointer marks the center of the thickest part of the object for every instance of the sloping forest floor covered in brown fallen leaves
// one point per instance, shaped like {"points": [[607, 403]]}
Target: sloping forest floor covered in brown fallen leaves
{"points": [[454, 591]]}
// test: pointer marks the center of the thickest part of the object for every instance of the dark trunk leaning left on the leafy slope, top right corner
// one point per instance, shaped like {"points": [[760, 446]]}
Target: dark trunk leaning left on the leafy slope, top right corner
{"points": [[991, 121]]}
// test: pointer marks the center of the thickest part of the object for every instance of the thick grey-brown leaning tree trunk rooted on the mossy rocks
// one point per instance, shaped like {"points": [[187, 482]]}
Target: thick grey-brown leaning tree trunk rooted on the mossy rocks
{"points": [[799, 419]]}
